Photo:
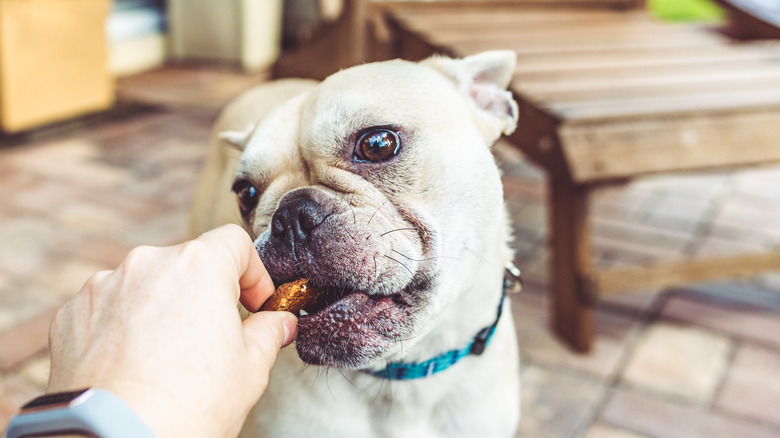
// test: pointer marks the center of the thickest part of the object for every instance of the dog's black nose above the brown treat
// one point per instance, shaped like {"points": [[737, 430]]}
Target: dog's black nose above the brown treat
{"points": [[295, 219]]}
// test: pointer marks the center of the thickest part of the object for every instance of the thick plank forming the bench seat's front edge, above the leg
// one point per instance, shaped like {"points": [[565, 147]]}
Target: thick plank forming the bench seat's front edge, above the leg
{"points": [[598, 152]]}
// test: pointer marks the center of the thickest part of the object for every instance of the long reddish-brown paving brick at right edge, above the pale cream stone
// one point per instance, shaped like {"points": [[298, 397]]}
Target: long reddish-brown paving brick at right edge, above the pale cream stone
{"points": [[746, 322]]}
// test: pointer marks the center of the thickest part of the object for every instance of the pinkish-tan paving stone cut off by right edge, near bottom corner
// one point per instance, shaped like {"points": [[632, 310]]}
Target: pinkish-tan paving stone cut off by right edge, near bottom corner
{"points": [[752, 387]]}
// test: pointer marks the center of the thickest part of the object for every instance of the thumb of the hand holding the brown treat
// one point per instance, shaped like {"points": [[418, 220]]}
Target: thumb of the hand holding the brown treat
{"points": [[268, 332]]}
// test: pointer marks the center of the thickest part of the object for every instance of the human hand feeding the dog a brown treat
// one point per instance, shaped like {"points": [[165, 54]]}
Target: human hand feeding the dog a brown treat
{"points": [[163, 332]]}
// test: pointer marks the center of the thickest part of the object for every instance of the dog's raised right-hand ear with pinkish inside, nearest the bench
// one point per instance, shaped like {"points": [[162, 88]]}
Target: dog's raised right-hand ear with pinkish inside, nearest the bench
{"points": [[483, 79]]}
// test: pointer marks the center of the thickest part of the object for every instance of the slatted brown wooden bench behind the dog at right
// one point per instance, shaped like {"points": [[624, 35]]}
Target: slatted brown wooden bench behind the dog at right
{"points": [[608, 93]]}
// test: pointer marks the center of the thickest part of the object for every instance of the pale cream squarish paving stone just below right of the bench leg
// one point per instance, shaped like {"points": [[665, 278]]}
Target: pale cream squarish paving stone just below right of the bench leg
{"points": [[679, 361]]}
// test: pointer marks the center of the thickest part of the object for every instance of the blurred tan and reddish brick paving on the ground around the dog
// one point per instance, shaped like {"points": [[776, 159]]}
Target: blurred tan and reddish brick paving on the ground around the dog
{"points": [[698, 360]]}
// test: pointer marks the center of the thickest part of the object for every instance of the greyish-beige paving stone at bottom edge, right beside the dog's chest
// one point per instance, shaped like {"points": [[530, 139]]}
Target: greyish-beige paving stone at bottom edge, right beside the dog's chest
{"points": [[556, 404]]}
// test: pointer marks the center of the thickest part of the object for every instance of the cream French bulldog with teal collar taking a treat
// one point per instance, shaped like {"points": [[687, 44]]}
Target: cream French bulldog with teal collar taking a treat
{"points": [[378, 186]]}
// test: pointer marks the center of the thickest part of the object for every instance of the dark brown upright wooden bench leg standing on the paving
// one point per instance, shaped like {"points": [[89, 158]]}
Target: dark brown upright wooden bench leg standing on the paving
{"points": [[572, 312]]}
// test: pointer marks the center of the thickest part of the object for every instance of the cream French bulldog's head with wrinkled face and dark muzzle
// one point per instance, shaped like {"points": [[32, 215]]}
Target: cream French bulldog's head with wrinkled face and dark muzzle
{"points": [[379, 187]]}
